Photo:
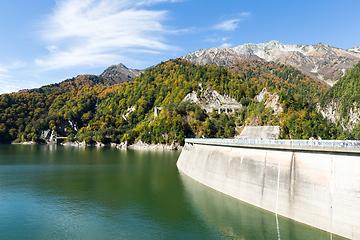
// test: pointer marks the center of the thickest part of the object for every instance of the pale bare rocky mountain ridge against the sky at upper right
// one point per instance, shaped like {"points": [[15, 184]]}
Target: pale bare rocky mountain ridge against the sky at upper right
{"points": [[319, 61]]}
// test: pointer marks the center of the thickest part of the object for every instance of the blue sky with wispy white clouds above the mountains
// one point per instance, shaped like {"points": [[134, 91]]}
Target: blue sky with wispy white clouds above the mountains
{"points": [[47, 41]]}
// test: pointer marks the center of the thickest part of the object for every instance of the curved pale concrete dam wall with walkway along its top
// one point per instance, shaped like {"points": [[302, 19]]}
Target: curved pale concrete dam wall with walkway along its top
{"points": [[313, 182]]}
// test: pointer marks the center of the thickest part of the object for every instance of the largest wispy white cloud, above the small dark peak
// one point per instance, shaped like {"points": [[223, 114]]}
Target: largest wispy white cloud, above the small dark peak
{"points": [[100, 32]]}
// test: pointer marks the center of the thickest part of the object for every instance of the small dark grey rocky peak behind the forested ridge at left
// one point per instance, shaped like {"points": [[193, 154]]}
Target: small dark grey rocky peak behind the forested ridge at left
{"points": [[120, 73]]}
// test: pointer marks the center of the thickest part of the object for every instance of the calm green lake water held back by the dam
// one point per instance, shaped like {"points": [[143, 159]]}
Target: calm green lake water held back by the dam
{"points": [[55, 192]]}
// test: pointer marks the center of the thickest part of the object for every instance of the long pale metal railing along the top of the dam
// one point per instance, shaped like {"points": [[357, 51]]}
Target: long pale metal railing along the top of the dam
{"points": [[319, 143]]}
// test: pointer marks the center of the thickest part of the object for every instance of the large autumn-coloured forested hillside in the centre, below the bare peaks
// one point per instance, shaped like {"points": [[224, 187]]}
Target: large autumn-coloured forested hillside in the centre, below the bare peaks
{"points": [[125, 112]]}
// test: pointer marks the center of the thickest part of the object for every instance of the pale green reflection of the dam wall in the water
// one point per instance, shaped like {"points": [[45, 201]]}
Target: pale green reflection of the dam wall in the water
{"points": [[239, 220]]}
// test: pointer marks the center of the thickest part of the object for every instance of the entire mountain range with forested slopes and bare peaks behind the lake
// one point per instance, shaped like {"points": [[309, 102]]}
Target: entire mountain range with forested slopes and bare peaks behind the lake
{"points": [[151, 105]]}
